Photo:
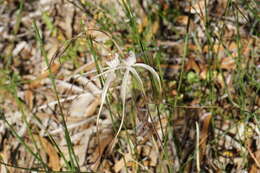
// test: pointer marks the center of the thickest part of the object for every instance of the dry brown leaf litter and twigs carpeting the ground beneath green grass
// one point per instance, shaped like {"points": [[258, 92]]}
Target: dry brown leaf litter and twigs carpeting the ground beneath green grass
{"points": [[227, 140]]}
